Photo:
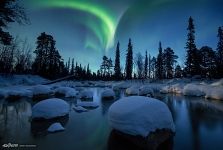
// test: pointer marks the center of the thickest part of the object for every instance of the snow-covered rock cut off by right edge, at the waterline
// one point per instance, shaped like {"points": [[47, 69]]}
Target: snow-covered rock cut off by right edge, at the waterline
{"points": [[214, 93]]}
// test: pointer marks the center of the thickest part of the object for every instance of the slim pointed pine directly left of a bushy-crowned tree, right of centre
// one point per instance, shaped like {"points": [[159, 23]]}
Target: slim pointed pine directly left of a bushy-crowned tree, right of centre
{"points": [[159, 63]]}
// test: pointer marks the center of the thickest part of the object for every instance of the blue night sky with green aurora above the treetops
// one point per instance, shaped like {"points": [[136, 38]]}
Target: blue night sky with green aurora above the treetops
{"points": [[88, 29]]}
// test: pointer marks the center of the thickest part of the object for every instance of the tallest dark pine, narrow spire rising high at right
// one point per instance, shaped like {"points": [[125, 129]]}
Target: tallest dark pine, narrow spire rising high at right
{"points": [[192, 58]]}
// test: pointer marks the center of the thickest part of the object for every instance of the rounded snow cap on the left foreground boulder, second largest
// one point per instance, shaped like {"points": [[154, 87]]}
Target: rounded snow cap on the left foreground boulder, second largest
{"points": [[50, 108]]}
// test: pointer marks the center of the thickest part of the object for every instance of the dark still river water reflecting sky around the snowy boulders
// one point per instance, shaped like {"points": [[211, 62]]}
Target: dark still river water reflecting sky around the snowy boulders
{"points": [[199, 124]]}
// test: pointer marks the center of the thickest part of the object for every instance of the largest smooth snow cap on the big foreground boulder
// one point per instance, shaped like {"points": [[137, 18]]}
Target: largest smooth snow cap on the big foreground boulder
{"points": [[138, 115]]}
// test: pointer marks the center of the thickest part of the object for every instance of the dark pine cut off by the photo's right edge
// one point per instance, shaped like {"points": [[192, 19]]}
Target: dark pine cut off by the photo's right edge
{"points": [[220, 53]]}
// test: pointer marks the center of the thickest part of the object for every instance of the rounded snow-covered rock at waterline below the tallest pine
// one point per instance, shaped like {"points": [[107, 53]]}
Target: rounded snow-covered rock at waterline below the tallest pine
{"points": [[193, 90]]}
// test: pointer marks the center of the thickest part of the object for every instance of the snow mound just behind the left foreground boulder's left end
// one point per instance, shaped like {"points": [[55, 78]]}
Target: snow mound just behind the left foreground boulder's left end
{"points": [[41, 89]]}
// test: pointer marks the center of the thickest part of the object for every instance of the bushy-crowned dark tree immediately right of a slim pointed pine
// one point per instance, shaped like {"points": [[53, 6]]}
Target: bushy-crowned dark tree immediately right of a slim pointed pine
{"points": [[169, 58]]}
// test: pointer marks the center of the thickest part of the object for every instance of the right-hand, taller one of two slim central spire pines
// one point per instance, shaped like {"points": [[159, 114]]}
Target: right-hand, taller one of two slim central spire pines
{"points": [[129, 61]]}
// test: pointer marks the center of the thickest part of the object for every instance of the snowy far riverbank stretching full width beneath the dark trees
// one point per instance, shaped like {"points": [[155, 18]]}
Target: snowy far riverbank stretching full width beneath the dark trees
{"points": [[29, 85]]}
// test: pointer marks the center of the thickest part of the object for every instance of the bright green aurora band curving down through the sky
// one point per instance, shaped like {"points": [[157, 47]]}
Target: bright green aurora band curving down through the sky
{"points": [[104, 28]]}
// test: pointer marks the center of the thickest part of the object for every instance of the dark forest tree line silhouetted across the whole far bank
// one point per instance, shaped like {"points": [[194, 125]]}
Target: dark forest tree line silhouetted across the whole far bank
{"points": [[16, 56]]}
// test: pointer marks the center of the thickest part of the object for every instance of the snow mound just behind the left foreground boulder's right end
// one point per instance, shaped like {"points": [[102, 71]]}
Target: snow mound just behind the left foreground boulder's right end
{"points": [[67, 91]]}
